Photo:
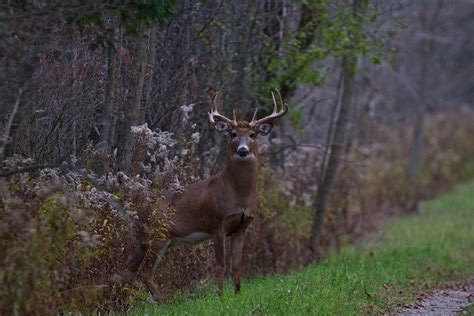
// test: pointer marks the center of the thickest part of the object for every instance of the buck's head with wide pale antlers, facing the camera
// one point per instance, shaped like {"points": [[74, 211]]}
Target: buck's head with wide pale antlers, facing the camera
{"points": [[242, 144]]}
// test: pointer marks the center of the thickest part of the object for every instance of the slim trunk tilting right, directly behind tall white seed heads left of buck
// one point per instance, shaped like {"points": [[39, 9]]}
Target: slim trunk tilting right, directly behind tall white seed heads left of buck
{"points": [[133, 111]]}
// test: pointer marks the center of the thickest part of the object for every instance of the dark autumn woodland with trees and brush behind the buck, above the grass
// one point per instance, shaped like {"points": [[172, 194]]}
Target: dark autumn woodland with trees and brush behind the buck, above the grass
{"points": [[104, 104]]}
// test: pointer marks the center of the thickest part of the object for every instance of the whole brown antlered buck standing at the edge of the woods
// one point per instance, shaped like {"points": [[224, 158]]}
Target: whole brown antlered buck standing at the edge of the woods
{"points": [[220, 207]]}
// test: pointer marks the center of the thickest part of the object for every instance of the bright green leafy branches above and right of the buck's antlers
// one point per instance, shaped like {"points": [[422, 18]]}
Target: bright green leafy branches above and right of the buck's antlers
{"points": [[324, 32]]}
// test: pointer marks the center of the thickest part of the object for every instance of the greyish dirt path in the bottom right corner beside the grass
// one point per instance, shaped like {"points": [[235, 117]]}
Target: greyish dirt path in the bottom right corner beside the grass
{"points": [[449, 301]]}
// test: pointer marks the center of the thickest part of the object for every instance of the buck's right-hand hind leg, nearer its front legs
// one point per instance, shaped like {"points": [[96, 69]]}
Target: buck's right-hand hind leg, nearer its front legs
{"points": [[150, 262]]}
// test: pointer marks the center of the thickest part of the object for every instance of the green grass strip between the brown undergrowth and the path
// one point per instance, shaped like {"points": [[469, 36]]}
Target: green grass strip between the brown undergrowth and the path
{"points": [[413, 254]]}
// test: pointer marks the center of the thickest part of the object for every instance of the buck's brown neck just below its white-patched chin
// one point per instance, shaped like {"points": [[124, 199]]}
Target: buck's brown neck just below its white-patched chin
{"points": [[241, 176]]}
